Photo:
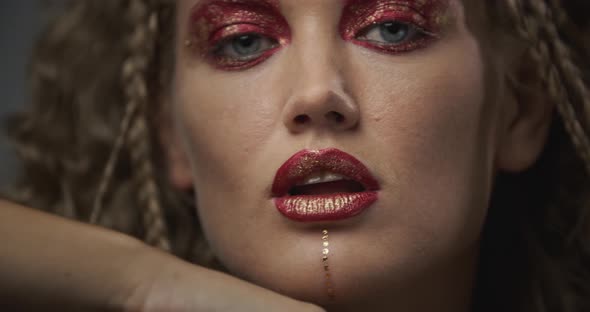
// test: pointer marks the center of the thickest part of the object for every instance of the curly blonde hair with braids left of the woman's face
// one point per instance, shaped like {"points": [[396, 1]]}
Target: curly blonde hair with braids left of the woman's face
{"points": [[87, 148]]}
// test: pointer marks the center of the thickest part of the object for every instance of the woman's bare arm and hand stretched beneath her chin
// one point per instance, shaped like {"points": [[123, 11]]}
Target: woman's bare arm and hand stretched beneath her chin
{"points": [[48, 262]]}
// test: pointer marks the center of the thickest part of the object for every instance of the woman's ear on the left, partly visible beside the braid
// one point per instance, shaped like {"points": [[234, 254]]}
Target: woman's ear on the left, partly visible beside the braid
{"points": [[179, 170]]}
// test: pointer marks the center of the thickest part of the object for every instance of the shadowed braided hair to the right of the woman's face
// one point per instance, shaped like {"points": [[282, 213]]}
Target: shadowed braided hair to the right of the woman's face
{"points": [[535, 247]]}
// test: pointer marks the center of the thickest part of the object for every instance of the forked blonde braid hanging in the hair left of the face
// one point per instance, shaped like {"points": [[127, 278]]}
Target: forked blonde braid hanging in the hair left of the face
{"points": [[134, 132]]}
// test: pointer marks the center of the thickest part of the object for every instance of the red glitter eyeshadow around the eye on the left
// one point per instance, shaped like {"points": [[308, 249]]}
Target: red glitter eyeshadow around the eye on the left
{"points": [[214, 21]]}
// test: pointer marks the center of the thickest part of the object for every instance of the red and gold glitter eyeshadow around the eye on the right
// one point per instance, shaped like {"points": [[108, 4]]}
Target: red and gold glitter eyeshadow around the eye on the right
{"points": [[427, 16]]}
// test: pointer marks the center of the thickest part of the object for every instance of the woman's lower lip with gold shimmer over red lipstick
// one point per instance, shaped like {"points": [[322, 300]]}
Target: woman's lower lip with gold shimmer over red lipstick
{"points": [[330, 207]]}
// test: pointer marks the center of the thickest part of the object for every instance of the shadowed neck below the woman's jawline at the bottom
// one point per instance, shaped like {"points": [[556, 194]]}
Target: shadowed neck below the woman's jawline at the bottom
{"points": [[447, 288]]}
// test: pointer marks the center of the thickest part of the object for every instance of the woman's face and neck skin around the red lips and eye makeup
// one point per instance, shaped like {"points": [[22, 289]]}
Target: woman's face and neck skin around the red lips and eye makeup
{"points": [[433, 125]]}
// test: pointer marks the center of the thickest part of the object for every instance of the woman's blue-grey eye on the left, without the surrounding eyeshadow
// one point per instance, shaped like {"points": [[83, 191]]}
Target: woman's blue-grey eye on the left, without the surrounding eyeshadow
{"points": [[244, 46]]}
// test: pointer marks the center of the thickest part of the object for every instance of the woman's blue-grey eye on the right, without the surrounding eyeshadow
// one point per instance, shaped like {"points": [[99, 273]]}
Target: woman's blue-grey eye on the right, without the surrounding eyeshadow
{"points": [[391, 33]]}
